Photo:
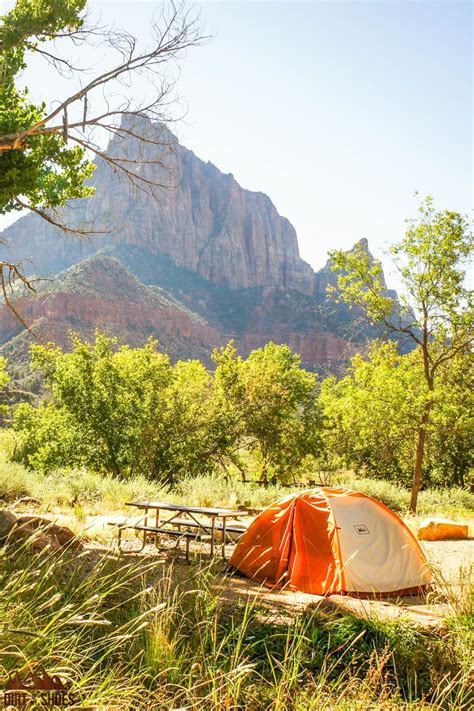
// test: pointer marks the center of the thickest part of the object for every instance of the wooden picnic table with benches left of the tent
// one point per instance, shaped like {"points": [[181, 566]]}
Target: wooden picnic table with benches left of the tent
{"points": [[189, 517]]}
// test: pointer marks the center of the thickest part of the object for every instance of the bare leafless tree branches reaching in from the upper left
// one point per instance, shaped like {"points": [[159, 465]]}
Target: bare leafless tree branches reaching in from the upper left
{"points": [[104, 106]]}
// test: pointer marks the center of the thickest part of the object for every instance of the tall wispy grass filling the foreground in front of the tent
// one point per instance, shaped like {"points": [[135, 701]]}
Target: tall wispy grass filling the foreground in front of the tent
{"points": [[131, 635]]}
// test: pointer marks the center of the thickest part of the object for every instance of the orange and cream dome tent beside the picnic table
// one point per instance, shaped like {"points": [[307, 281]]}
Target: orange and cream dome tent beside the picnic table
{"points": [[328, 541]]}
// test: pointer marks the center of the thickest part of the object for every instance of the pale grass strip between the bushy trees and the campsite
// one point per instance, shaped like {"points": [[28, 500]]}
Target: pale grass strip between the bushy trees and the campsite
{"points": [[99, 493]]}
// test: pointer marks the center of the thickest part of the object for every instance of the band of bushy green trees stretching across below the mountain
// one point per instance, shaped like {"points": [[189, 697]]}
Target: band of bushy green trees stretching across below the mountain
{"points": [[126, 411]]}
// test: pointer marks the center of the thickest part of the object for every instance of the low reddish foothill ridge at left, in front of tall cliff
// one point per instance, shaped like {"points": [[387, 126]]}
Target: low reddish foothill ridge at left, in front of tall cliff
{"points": [[100, 293]]}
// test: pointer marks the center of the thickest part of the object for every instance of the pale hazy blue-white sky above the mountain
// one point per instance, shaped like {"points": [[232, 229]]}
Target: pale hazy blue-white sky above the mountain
{"points": [[339, 111]]}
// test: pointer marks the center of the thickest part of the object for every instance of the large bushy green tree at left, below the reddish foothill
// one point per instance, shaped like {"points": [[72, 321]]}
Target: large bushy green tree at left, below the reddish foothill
{"points": [[106, 396]]}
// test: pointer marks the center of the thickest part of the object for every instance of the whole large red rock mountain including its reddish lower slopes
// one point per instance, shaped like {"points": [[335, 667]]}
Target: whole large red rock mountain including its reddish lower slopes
{"points": [[204, 262]]}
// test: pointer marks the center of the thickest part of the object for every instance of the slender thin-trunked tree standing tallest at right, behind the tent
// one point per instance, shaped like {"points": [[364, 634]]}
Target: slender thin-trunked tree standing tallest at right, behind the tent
{"points": [[435, 311]]}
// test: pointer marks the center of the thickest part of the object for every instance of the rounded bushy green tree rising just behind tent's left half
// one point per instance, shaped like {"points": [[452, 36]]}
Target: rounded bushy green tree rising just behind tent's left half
{"points": [[271, 405]]}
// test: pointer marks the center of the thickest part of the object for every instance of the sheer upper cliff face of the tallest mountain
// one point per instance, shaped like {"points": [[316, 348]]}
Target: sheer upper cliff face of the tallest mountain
{"points": [[201, 218]]}
